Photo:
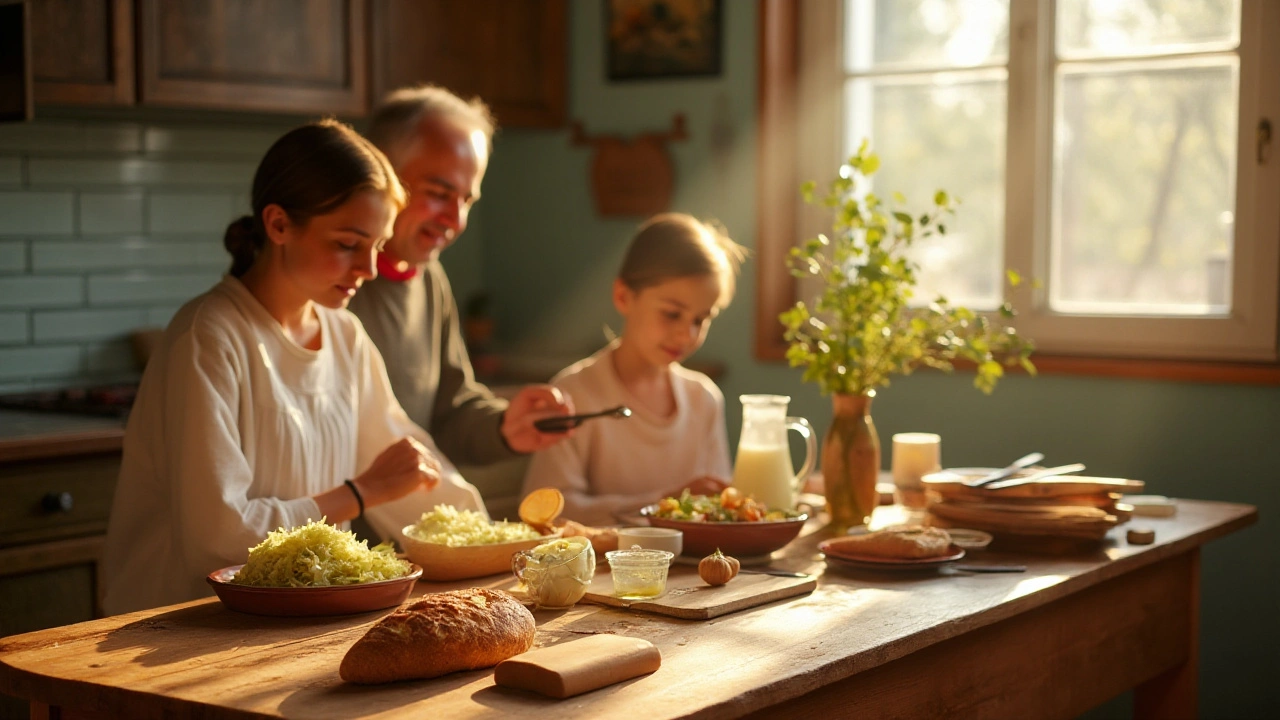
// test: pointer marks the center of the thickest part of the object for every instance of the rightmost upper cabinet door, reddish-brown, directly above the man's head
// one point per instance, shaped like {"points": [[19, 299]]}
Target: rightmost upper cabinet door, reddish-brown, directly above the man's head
{"points": [[511, 53]]}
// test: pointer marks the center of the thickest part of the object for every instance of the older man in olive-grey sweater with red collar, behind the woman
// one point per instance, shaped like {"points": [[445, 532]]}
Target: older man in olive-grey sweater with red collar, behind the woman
{"points": [[440, 147]]}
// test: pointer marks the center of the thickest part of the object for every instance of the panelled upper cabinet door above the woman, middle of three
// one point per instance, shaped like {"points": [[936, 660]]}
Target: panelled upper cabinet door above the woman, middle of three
{"points": [[275, 56]]}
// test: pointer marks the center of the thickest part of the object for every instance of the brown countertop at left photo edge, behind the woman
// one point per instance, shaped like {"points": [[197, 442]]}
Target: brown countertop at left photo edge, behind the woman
{"points": [[31, 435]]}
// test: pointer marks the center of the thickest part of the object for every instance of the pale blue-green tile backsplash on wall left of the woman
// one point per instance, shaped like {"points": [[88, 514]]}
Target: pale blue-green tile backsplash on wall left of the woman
{"points": [[109, 226]]}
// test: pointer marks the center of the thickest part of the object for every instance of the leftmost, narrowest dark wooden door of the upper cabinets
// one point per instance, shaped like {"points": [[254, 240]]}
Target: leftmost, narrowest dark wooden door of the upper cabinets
{"points": [[83, 52]]}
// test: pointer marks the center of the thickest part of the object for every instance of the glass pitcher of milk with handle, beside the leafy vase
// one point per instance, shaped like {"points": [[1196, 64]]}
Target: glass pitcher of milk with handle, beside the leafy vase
{"points": [[764, 466]]}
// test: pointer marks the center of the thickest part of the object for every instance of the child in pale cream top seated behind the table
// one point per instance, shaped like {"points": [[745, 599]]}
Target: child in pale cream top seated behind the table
{"points": [[678, 275]]}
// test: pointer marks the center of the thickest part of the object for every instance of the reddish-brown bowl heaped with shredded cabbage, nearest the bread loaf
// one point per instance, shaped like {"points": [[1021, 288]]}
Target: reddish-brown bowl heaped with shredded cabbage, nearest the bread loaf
{"points": [[316, 569]]}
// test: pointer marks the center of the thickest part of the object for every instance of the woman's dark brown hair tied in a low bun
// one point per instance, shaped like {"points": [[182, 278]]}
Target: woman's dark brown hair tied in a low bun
{"points": [[310, 171]]}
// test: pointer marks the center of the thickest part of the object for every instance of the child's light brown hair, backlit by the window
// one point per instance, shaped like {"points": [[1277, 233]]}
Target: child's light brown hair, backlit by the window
{"points": [[675, 245]]}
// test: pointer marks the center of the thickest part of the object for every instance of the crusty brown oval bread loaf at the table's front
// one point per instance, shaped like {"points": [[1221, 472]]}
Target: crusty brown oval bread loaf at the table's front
{"points": [[441, 634]]}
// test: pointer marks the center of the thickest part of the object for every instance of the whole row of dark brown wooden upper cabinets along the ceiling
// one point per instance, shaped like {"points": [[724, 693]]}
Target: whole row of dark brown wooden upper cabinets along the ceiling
{"points": [[304, 57]]}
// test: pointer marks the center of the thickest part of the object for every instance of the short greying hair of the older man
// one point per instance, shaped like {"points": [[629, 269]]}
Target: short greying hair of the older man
{"points": [[394, 126]]}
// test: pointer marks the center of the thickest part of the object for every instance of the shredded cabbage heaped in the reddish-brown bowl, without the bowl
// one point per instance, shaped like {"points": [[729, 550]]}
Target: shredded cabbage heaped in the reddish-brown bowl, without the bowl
{"points": [[318, 555]]}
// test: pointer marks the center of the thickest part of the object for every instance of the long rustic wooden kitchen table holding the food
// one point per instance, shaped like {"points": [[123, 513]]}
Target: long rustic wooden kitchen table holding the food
{"points": [[1068, 635]]}
